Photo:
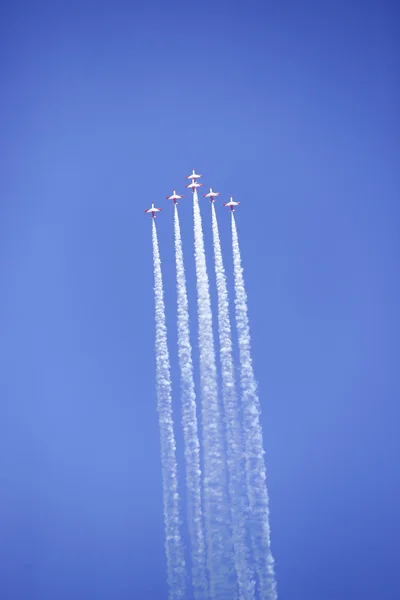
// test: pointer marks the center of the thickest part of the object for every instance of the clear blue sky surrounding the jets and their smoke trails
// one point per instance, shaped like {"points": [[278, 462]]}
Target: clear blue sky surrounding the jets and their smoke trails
{"points": [[292, 107]]}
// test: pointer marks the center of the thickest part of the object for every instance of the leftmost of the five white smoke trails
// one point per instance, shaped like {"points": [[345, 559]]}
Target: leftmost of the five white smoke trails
{"points": [[173, 542]]}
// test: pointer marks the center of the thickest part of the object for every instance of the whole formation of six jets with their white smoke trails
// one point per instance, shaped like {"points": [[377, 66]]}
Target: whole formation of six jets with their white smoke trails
{"points": [[227, 502]]}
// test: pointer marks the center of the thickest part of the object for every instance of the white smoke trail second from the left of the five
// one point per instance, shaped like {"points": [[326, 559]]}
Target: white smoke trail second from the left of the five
{"points": [[190, 430]]}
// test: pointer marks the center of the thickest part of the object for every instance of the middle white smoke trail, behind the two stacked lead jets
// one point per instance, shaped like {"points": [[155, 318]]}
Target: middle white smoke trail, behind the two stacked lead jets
{"points": [[216, 507]]}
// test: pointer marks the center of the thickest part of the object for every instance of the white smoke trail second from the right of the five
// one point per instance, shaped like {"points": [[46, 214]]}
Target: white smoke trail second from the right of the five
{"points": [[235, 459]]}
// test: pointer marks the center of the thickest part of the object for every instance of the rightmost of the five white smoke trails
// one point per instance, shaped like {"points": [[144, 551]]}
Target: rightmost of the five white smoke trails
{"points": [[255, 465]]}
